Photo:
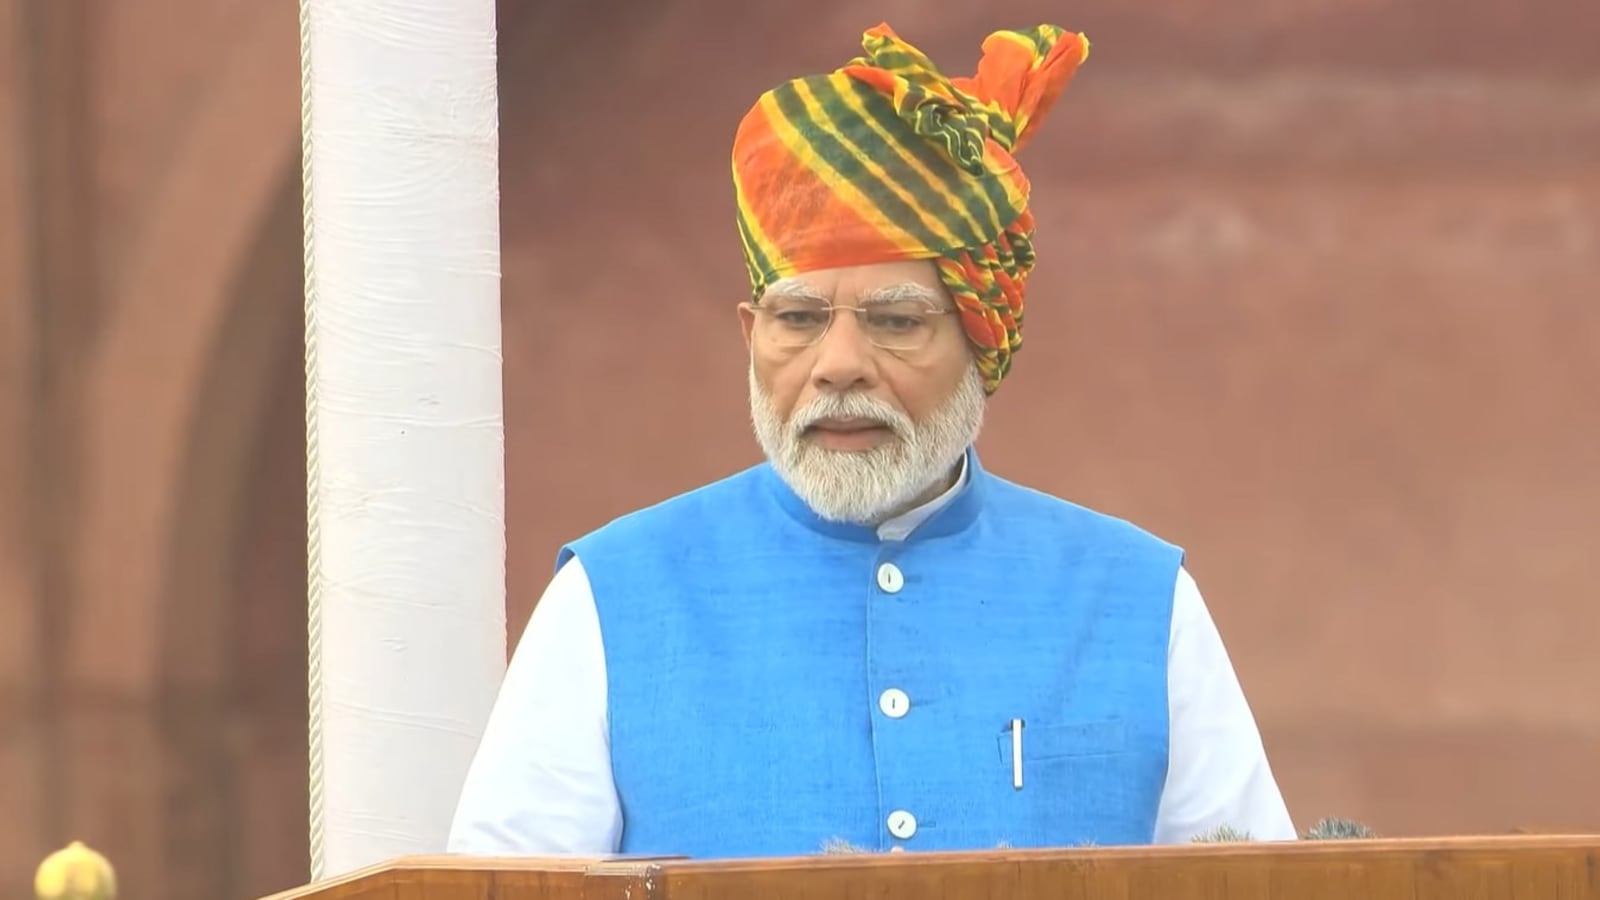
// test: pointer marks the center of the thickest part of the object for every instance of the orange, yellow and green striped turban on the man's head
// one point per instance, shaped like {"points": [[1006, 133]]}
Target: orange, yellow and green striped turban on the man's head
{"points": [[887, 161]]}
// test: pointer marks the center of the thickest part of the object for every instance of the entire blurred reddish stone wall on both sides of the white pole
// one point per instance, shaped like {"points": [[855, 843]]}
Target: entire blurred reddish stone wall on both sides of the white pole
{"points": [[1319, 299]]}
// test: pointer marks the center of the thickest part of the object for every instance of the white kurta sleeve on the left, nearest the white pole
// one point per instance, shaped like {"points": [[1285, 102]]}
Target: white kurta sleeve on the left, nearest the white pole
{"points": [[542, 779]]}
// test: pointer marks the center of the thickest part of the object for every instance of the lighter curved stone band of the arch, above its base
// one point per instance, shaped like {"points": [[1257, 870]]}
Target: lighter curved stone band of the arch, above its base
{"points": [[159, 342]]}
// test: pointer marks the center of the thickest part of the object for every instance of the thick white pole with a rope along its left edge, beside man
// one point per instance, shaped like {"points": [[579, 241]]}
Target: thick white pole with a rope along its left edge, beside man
{"points": [[404, 419]]}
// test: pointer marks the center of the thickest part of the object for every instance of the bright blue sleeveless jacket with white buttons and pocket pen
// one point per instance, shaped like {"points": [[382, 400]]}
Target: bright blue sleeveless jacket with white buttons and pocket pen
{"points": [[778, 681]]}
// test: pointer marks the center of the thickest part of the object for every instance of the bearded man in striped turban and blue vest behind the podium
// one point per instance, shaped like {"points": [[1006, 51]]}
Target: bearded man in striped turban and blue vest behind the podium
{"points": [[870, 638]]}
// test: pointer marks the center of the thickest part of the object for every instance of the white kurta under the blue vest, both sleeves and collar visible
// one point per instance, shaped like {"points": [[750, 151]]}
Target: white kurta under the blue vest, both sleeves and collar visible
{"points": [[542, 781]]}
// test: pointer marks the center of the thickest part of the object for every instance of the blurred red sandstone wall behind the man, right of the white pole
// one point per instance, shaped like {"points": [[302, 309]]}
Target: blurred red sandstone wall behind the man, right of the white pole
{"points": [[1318, 299]]}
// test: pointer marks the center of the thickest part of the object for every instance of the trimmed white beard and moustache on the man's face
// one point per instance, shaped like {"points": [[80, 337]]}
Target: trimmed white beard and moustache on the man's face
{"points": [[868, 488]]}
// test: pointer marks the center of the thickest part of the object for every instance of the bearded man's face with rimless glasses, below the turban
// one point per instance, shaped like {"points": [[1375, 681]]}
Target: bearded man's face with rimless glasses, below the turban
{"points": [[863, 433]]}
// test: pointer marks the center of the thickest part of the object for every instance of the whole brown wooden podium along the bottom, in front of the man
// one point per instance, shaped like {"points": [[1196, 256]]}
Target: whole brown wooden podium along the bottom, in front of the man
{"points": [[1452, 869]]}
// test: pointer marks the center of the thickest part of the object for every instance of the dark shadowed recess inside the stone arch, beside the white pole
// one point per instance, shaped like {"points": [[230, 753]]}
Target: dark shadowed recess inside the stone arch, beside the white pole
{"points": [[231, 709]]}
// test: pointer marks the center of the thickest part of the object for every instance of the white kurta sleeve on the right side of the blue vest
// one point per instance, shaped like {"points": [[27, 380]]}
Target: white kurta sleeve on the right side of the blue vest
{"points": [[1218, 773]]}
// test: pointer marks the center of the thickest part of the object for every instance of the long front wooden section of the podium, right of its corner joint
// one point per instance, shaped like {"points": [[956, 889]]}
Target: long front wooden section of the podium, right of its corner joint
{"points": [[1460, 869]]}
